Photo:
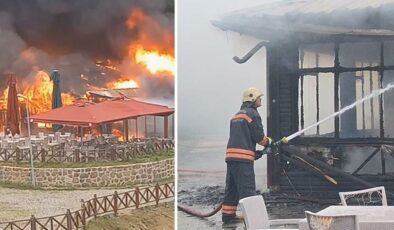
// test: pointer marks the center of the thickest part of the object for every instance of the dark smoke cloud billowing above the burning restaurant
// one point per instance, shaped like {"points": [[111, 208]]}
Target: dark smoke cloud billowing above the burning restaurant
{"points": [[71, 35]]}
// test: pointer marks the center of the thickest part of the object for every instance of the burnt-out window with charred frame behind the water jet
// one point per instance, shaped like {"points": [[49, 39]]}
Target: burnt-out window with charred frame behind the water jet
{"points": [[335, 76]]}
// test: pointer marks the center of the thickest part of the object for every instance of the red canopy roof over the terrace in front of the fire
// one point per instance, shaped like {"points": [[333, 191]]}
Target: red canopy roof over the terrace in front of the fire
{"points": [[87, 114]]}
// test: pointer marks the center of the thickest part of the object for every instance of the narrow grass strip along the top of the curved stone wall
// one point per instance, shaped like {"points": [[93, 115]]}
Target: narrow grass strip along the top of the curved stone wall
{"points": [[162, 155]]}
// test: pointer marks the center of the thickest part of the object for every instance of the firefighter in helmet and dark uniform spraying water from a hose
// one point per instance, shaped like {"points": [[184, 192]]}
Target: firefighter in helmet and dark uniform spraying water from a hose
{"points": [[246, 130]]}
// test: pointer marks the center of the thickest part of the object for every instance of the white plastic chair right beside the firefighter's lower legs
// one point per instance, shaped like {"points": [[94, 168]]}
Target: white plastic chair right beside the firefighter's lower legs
{"points": [[256, 216]]}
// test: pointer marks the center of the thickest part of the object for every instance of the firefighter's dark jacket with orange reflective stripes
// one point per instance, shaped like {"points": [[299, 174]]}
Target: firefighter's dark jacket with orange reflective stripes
{"points": [[246, 131]]}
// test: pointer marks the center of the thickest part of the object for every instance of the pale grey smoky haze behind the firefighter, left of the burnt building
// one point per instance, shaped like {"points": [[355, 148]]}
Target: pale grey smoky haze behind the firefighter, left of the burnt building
{"points": [[210, 86]]}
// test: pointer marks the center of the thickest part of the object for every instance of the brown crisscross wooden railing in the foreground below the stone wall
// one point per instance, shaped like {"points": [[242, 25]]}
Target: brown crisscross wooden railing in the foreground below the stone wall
{"points": [[95, 207]]}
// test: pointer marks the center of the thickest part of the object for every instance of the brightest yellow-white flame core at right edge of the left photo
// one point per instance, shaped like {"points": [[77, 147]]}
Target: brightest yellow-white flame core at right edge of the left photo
{"points": [[154, 61]]}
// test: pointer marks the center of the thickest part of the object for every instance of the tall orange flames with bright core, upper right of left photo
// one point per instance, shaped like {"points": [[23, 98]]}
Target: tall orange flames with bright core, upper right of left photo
{"points": [[150, 53]]}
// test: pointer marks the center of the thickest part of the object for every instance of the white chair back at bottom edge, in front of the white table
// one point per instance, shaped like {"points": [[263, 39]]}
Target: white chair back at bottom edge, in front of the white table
{"points": [[340, 222]]}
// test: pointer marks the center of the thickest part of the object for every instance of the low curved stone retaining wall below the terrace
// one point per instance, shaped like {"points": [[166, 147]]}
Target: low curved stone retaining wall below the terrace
{"points": [[104, 176]]}
